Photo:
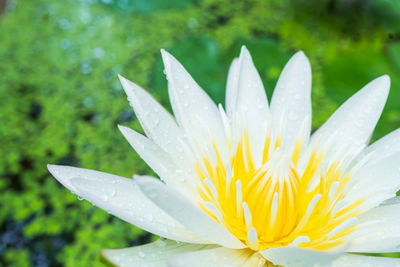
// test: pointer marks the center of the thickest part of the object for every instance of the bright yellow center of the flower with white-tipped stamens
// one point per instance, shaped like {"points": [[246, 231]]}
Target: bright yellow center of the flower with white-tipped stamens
{"points": [[275, 205]]}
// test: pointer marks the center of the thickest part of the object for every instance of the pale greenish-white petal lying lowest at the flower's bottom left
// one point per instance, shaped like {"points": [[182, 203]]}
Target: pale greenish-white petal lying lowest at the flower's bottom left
{"points": [[155, 254]]}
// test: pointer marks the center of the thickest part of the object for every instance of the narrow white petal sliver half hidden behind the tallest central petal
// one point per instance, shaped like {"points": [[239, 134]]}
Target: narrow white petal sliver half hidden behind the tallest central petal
{"points": [[232, 88]]}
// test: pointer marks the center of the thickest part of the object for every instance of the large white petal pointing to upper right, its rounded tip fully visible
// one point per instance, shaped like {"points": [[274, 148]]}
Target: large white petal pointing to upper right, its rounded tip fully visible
{"points": [[352, 124]]}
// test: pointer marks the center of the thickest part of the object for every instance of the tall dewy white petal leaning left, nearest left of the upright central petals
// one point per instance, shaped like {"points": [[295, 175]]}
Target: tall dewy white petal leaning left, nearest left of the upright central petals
{"points": [[194, 110]]}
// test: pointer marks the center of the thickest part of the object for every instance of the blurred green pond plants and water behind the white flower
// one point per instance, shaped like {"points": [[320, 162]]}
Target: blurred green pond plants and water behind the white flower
{"points": [[60, 99]]}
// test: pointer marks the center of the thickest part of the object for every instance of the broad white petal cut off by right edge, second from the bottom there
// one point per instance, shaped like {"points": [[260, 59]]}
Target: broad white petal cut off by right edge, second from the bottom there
{"points": [[378, 230]]}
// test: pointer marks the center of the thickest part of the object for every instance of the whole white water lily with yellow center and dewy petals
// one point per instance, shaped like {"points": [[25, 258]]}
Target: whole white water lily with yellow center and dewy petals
{"points": [[248, 186]]}
